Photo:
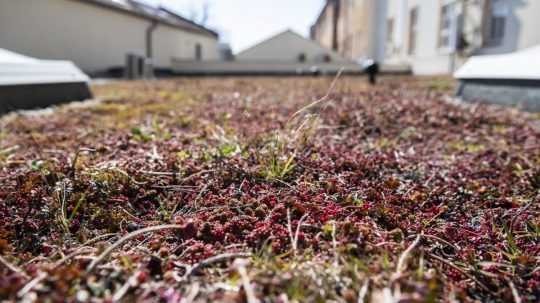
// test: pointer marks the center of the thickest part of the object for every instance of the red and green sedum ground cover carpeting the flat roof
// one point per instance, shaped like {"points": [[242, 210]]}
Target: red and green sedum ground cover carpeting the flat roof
{"points": [[271, 190]]}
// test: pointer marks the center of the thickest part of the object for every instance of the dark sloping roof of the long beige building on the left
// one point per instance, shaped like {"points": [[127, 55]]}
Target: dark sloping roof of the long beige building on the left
{"points": [[160, 14]]}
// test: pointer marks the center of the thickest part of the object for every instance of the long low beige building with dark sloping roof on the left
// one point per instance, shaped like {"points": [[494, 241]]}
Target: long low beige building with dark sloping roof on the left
{"points": [[97, 35]]}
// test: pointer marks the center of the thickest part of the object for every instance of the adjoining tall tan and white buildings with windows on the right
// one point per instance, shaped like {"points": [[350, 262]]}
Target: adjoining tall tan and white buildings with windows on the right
{"points": [[427, 36]]}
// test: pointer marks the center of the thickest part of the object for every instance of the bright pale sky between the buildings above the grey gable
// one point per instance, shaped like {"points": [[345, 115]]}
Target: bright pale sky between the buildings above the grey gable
{"points": [[243, 23]]}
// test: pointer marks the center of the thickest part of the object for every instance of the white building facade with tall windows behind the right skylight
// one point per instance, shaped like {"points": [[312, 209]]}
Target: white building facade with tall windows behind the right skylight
{"points": [[437, 36]]}
